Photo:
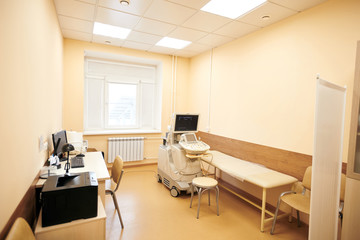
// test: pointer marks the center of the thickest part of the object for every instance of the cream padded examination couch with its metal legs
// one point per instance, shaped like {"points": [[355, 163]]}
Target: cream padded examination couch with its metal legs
{"points": [[252, 173]]}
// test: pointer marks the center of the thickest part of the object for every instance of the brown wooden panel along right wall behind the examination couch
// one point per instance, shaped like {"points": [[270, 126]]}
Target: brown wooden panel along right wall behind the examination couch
{"points": [[287, 162]]}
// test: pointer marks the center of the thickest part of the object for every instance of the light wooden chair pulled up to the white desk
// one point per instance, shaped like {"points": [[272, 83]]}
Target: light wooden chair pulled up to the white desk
{"points": [[116, 175]]}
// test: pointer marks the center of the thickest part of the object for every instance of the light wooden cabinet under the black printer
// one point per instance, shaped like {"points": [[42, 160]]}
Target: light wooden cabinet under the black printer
{"points": [[90, 228]]}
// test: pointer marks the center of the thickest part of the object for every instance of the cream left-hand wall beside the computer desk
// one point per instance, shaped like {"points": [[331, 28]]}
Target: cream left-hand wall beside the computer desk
{"points": [[31, 47]]}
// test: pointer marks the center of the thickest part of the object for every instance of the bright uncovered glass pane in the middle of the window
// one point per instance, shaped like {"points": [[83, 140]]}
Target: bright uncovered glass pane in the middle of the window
{"points": [[122, 105]]}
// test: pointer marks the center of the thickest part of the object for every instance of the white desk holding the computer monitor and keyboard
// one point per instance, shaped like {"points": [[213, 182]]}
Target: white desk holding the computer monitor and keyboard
{"points": [[94, 162]]}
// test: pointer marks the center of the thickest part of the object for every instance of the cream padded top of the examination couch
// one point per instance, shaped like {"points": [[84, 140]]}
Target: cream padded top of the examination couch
{"points": [[248, 171]]}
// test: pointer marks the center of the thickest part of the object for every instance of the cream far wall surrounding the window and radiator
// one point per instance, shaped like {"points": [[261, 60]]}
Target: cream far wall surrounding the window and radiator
{"points": [[74, 90]]}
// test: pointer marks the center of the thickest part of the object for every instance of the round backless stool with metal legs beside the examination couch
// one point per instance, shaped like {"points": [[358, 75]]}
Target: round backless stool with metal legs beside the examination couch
{"points": [[203, 184]]}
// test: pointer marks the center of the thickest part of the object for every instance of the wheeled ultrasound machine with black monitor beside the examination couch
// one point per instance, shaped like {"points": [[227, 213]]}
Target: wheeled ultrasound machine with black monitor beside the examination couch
{"points": [[176, 169]]}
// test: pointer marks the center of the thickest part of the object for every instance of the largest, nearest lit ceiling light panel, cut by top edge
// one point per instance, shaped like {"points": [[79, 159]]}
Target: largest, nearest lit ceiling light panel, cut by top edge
{"points": [[231, 8]]}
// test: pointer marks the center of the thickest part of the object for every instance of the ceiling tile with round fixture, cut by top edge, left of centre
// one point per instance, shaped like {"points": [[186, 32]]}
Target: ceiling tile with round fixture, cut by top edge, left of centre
{"points": [[137, 7]]}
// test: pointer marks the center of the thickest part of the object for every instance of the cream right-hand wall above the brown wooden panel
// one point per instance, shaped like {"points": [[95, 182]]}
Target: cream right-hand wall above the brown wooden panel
{"points": [[263, 85]]}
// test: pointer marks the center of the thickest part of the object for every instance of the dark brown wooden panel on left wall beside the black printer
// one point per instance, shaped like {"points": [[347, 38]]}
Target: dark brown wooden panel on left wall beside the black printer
{"points": [[26, 209]]}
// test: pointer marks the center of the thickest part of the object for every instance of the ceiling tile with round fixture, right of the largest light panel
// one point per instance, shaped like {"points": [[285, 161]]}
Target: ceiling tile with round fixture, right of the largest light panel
{"points": [[275, 12]]}
